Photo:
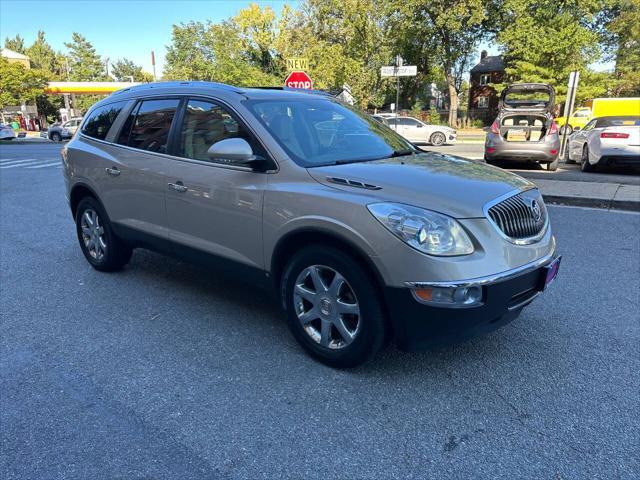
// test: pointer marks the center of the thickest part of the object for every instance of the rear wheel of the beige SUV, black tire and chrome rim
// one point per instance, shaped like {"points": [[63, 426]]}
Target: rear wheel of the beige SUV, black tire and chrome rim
{"points": [[99, 244]]}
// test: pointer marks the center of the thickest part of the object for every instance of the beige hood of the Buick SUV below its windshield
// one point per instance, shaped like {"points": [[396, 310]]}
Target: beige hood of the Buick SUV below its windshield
{"points": [[444, 183]]}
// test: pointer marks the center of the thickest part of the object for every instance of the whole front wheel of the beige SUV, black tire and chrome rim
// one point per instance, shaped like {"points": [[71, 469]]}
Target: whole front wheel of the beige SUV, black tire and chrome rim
{"points": [[333, 309]]}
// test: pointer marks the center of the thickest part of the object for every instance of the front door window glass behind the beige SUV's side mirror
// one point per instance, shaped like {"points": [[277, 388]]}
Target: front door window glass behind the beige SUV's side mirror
{"points": [[206, 123]]}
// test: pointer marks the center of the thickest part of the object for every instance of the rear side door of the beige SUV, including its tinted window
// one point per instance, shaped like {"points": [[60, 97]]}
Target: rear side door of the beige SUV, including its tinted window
{"points": [[134, 177]]}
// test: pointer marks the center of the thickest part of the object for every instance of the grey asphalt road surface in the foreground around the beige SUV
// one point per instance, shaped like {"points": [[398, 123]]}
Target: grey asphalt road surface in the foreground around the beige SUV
{"points": [[168, 371]]}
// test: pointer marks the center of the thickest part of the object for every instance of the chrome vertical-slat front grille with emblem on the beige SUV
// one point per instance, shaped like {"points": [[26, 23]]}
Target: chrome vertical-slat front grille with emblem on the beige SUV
{"points": [[522, 218]]}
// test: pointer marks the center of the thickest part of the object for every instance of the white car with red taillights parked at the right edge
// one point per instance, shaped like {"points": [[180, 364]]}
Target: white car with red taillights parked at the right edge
{"points": [[605, 141]]}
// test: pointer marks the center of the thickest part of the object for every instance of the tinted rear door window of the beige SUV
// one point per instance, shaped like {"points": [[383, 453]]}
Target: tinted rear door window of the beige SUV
{"points": [[150, 129]]}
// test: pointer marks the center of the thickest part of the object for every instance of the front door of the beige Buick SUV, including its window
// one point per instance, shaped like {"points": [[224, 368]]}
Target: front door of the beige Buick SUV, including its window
{"points": [[214, 207]]}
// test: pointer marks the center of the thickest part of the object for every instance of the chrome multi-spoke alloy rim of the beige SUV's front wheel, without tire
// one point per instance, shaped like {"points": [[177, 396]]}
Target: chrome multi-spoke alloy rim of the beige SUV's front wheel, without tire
{"points": [[326, 306]]}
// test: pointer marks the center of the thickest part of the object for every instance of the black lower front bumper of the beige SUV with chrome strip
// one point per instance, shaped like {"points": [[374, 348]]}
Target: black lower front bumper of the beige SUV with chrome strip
{"points": [[418, 326]]}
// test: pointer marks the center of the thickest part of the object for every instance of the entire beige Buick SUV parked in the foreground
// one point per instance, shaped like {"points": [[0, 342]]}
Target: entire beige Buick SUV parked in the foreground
{"points": [[363, 237]]}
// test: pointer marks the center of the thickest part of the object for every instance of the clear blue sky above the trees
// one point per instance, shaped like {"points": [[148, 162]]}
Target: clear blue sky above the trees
{"points": [[126, 28]]}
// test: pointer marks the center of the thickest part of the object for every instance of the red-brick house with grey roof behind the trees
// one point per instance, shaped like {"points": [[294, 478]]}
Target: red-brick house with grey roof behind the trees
{"points": [[483, 98]]}
